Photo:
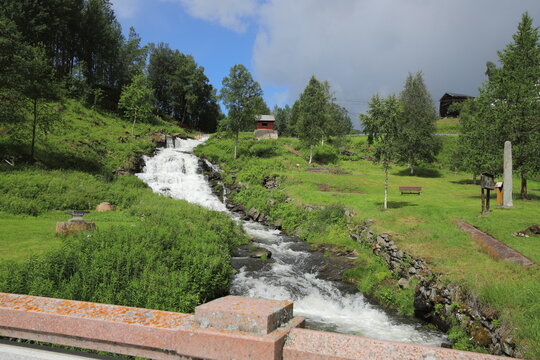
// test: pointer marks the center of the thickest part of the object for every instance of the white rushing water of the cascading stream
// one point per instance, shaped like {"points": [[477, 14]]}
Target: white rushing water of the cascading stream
{"points": [[293, 272]]}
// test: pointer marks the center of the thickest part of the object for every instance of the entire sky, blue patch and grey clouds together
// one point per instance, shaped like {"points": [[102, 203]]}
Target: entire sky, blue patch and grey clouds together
{"points": [[361, 47]]}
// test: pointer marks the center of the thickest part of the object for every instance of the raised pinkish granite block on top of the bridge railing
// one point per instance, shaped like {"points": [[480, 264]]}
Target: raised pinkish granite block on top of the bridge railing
{"points": [[234, 313]]}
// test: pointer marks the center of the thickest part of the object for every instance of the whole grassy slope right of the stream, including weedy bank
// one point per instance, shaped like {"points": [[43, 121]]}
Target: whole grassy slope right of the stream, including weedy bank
{"points": [[422, 225]]}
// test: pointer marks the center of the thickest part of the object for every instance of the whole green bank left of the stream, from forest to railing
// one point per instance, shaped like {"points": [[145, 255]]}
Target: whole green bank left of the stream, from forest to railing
{"points": [[151, 252]]}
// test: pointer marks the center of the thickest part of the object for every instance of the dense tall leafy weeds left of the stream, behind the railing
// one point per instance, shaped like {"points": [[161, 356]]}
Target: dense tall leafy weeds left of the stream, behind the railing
{"points": [[171, 255]]}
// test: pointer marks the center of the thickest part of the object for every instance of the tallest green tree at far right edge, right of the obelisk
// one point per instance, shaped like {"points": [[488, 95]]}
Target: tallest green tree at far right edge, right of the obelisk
{"points": [[514, 91]]}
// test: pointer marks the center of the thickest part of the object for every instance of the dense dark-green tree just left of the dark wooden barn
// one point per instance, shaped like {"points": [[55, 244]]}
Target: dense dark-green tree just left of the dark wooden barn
{"points": [[417, 124]]}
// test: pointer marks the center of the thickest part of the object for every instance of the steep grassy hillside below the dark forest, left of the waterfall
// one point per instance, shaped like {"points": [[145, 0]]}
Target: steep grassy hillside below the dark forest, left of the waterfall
{"points": [[82, 139]]}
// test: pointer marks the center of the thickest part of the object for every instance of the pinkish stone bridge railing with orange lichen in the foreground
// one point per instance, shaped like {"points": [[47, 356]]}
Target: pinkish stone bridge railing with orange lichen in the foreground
{"points": [[227, 328]]}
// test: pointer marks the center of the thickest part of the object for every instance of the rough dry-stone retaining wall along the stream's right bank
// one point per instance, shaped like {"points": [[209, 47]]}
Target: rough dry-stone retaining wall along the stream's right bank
{"points": [[444, 305]]}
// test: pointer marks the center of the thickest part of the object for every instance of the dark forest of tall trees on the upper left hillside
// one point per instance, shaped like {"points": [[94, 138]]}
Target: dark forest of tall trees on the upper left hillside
{"points": [[58, 48]]}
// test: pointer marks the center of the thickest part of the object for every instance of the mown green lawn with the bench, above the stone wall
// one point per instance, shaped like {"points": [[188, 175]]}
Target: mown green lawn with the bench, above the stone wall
{"points": [[422, 224]]}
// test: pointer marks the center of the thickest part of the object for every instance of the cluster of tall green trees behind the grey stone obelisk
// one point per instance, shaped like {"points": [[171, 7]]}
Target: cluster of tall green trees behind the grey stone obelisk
{"points": [[507, 110]]}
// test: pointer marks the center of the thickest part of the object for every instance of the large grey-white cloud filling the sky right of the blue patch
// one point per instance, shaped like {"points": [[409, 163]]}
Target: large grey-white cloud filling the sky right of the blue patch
{"points": [[368, 46]]}
